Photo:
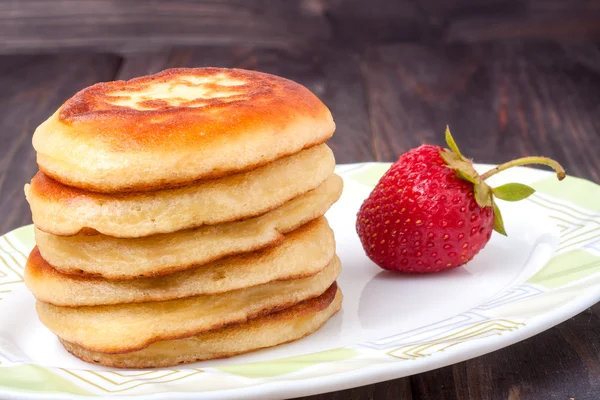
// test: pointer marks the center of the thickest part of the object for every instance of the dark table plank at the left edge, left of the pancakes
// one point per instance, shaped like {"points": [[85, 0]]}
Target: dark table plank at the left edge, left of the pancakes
{"points": [[33, 87]]}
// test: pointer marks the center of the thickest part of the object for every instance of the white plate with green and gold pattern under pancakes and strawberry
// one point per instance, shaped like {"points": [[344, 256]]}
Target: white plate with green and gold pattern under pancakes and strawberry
{"points": [[390, 326]]}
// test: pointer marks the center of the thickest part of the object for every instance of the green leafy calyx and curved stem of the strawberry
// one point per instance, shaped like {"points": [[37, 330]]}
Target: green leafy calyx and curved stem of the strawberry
{"points": [[484, 194]]}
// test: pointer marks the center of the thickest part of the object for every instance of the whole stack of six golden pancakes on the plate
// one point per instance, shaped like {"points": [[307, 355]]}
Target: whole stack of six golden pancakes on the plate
{"points": [[179, 217]]}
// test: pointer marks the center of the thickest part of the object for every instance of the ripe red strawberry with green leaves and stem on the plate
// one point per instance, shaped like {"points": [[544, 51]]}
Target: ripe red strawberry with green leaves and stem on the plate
{"points": [[432, 211]]}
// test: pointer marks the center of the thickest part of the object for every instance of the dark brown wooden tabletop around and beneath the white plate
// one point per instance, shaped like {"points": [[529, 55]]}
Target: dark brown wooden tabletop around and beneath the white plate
{"points": [[502, 97]]}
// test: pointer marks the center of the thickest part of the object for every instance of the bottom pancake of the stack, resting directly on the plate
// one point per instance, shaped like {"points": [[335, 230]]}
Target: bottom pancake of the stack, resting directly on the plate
{"points": [[281, 327]]}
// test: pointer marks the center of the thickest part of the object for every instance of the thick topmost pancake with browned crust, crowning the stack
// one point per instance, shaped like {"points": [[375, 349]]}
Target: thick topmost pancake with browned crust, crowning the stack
{"points": [[177, 126]]}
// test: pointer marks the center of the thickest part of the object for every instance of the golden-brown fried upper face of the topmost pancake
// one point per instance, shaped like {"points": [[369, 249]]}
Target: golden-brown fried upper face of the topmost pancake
{"points": [[101, 102]]}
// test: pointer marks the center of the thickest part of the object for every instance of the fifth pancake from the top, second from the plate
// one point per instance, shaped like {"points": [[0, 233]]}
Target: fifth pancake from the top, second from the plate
{"points": [[128, 327]]}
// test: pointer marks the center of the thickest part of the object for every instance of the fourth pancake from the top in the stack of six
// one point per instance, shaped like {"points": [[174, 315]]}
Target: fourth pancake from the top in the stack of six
{"points": [[305, 252]]}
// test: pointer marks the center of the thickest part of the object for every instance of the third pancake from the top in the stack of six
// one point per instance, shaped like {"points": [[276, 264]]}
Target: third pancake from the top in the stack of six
{"points": [[115, 258]]}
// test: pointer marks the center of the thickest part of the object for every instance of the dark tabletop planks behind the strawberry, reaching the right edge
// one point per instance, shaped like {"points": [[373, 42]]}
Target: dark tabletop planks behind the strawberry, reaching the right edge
{"points": [[501, 100]]}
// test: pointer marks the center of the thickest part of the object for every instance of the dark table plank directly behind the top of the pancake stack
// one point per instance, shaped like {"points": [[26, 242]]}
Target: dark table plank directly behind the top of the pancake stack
{"points": [[333, 75]]}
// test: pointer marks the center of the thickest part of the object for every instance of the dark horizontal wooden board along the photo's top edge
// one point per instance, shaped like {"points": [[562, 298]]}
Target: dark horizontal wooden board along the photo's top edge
{"points": [[134, 25]]}
